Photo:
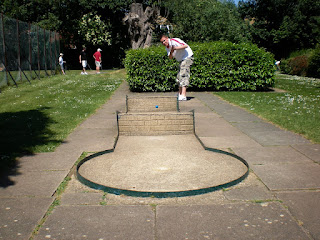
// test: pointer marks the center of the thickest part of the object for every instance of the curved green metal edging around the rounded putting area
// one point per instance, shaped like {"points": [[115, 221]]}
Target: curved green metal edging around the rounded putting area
{"points": [[118, 191]]}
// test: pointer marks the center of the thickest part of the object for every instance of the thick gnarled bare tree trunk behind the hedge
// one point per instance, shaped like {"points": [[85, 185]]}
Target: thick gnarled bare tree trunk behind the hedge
{"points": [[140, 24]]}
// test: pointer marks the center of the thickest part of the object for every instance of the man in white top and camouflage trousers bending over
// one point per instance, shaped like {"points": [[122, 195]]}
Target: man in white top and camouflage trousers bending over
{"points": [[178, 49]]}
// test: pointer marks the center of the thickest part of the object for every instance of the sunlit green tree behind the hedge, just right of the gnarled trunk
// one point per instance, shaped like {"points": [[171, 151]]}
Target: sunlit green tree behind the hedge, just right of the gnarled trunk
{"points": [[206, 20]]}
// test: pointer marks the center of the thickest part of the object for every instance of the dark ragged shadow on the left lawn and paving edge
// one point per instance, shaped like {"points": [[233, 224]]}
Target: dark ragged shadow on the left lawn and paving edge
{"points": [[20, 133]]}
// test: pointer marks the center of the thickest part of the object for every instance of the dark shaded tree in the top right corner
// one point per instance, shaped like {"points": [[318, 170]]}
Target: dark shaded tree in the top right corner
{"points": [[282, 26]]}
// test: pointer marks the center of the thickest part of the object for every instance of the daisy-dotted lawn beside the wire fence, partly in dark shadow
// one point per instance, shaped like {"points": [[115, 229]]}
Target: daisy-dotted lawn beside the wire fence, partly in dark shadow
{"points": [[37, 117]]}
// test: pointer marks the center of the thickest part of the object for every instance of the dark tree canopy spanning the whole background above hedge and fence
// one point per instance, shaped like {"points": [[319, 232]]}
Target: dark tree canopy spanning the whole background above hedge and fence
{"points": [[280, 26]]}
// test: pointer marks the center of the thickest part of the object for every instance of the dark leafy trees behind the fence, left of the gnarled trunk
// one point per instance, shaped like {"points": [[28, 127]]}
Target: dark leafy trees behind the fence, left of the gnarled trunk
{"points": [[65, 16]]}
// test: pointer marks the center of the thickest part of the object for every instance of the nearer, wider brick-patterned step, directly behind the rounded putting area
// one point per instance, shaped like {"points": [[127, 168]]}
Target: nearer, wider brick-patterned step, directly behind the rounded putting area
{"points": [[155, 123]]}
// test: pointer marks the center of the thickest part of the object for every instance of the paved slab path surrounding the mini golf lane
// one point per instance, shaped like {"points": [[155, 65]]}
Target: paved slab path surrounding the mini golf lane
{"points": [[278, 200]]}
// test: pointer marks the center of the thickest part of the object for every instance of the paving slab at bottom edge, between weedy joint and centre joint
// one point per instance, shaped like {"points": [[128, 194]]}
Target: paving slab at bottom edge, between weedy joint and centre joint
{"points": [[99, 222]]}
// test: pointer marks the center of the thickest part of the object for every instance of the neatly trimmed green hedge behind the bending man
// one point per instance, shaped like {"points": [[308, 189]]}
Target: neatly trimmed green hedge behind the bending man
{"points": [[217, 66]]}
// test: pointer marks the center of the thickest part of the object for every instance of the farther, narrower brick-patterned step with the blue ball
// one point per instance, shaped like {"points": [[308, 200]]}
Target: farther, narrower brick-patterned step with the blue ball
{"points": [[152, 104]]}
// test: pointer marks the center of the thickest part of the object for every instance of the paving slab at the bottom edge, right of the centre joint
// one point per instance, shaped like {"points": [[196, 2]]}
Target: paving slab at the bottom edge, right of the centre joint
{"points": [[228, 221]]}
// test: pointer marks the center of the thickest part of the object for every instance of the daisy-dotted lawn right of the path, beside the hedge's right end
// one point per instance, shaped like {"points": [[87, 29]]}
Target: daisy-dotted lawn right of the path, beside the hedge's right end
{"points": [[297, 109]]}
